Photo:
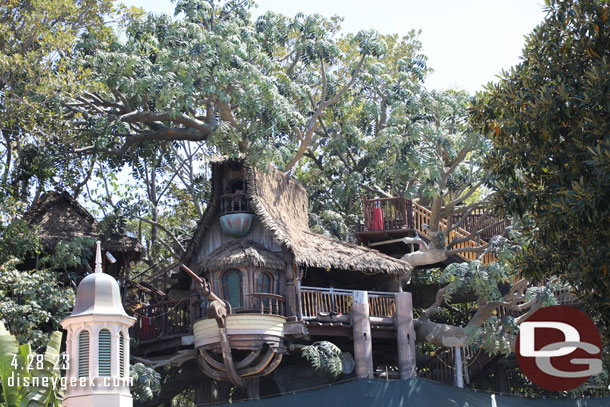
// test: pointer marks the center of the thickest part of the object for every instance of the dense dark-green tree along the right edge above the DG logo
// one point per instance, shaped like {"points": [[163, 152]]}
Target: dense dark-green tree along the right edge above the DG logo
{"points": [[547, 119]]}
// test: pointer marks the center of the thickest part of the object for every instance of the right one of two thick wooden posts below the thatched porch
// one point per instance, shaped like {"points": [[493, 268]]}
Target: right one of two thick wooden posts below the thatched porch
{"points": [[405, 335]]}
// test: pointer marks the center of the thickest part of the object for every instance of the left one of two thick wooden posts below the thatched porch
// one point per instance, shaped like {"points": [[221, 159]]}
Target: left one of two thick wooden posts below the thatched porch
{"points": [[363, 345]]}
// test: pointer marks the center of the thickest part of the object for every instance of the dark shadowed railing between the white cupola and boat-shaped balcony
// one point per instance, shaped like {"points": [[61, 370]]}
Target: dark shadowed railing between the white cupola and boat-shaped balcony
{"points": [[160, 320]]}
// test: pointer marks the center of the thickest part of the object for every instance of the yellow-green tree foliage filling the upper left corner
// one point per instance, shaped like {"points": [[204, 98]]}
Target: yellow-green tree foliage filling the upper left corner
{"points": [[37, 39]]}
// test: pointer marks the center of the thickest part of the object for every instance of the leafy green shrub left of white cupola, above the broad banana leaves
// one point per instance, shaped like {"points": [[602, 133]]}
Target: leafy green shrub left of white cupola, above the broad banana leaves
{"points": [[33, 303]]}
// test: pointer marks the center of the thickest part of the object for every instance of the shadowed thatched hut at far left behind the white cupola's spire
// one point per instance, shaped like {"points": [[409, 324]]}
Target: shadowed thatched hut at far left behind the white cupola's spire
{"points": [[60, 218]]}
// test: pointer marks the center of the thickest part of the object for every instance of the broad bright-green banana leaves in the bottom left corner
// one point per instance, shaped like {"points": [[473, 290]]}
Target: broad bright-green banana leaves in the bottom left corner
{"points": [[15, 361]]}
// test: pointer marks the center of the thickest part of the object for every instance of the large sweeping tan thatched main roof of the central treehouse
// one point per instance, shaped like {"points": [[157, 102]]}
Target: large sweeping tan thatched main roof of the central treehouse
{"points": [[281, 205]]}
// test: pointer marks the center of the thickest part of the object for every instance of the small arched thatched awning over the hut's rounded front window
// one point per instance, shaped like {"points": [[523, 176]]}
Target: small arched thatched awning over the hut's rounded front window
{"points": [[241, 253]]}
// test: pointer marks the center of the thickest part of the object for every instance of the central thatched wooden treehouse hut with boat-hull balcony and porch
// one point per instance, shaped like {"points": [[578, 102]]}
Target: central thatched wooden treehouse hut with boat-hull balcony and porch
{"points": [[283, 283]]}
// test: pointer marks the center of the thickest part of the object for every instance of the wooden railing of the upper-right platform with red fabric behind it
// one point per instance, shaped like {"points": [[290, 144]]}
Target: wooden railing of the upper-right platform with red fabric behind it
{"points": [[387, 214]]}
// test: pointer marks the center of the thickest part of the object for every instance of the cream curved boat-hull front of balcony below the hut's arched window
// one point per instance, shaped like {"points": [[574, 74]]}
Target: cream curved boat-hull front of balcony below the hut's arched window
{"points": [[246, 331]]}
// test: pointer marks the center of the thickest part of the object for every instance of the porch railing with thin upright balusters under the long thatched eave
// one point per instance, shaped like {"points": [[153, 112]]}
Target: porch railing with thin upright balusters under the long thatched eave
{"points": [[316, 300]]}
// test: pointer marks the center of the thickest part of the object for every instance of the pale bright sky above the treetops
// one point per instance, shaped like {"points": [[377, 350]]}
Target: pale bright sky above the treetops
{"points": [[467, 42]]}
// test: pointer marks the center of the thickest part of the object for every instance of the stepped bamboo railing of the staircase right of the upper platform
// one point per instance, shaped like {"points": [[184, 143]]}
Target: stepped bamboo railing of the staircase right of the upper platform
{"points": [[422, 215]]}
